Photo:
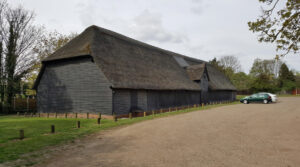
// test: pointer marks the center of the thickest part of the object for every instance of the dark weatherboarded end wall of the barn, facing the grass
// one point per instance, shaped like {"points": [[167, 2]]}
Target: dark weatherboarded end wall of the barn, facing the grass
{"points": [[75, 85]]}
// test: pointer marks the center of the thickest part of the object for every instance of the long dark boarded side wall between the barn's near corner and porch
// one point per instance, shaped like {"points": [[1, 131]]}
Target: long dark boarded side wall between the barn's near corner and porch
{"points": [[126, 101]]}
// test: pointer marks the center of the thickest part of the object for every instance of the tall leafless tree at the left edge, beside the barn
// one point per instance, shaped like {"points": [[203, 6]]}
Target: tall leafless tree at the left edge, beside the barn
{"points": [[19, 36]]}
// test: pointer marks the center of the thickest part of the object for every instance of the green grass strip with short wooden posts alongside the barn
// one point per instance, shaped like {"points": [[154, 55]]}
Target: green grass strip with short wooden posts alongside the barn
{"points": [[37, 131]]}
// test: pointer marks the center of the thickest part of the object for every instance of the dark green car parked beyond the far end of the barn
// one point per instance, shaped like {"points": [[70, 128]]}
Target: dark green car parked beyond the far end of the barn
{"points": [[257, 98]]}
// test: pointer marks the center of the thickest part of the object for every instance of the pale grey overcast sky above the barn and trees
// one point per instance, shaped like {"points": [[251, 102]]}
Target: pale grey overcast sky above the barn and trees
{"points": [[203, 29]]}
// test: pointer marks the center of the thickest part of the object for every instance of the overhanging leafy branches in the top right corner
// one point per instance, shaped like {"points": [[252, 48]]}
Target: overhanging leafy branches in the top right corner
{"points": [[279, 26]]}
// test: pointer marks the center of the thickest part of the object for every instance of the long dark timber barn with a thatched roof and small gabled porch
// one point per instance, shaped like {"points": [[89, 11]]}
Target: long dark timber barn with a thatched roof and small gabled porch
{"points": [[103, 71]]}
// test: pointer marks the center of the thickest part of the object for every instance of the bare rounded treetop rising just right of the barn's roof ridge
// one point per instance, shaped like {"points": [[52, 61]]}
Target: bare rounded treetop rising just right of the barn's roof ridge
{"points": [[230, 62]]}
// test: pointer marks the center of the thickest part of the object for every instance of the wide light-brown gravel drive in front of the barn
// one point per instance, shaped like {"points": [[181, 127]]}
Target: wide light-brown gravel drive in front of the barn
{"points": [[231, 136]]}
